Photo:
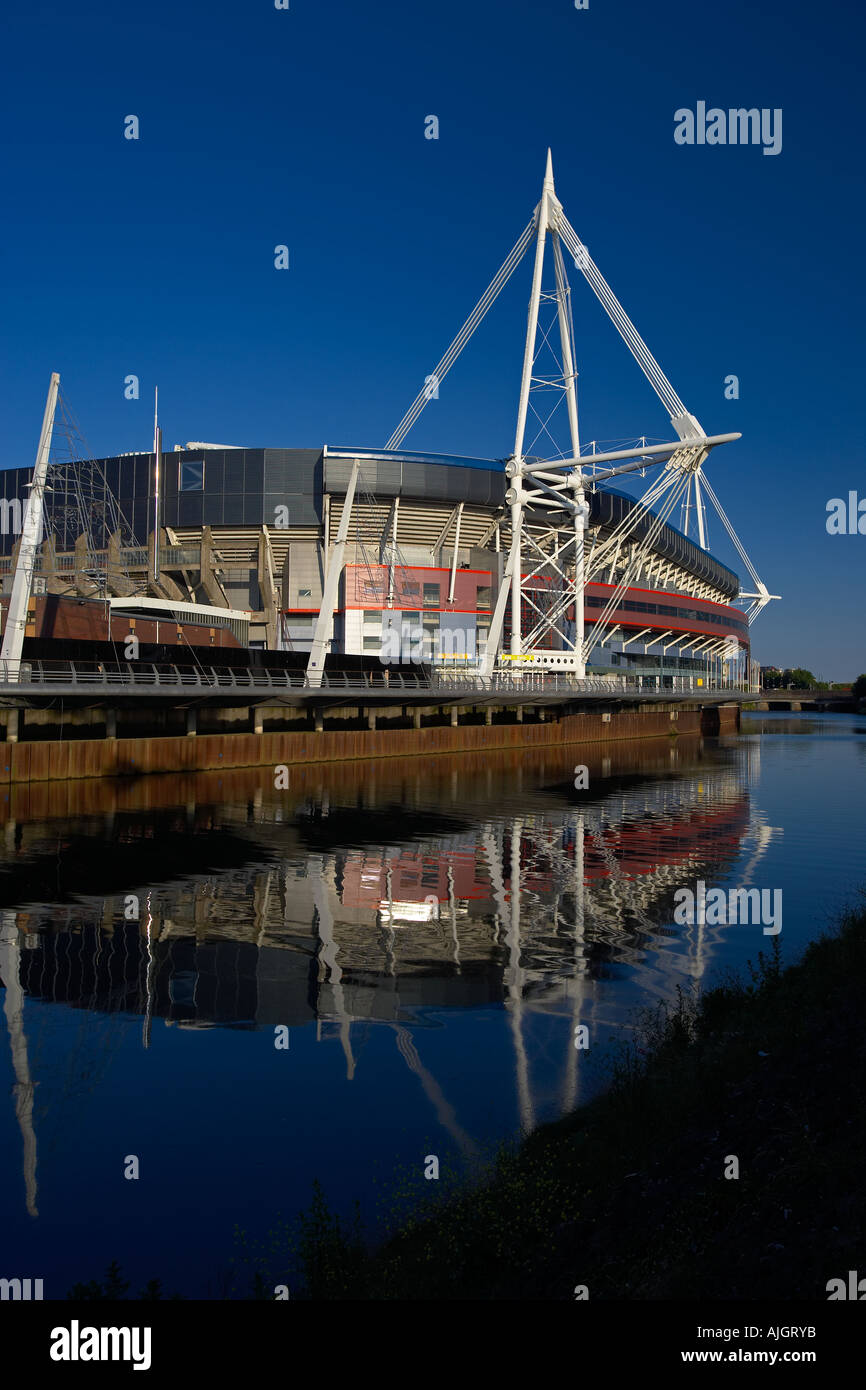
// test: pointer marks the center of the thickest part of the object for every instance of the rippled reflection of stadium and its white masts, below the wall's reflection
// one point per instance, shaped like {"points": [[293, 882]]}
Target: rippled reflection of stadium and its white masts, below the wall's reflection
{"points": [[534, 911]]}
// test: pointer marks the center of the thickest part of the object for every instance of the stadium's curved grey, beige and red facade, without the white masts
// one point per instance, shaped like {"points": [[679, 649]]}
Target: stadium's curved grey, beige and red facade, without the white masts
{"points": [[254, 532]]}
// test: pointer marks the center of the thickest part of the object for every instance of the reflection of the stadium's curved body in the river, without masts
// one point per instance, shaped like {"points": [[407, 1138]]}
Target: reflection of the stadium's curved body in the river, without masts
{"points": [[338, 935]]}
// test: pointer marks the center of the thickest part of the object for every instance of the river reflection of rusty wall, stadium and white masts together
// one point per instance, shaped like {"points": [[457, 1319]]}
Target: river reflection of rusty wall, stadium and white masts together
{"points": [[370, 894]]}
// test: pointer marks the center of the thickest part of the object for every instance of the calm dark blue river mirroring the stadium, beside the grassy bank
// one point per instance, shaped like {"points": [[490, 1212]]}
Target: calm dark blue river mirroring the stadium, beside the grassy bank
{"points": [[245, 989]]}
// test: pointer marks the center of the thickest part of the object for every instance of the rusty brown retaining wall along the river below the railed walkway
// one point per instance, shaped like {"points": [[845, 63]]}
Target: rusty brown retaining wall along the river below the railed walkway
{"points": [[393, 732]]}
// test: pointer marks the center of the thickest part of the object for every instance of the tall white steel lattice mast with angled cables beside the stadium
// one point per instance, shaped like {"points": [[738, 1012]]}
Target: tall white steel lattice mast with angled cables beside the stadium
{"points": [[548, 566]]}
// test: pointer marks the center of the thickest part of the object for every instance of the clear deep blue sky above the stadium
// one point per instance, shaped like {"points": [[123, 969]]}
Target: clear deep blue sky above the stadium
{"points": [[307, 127]]}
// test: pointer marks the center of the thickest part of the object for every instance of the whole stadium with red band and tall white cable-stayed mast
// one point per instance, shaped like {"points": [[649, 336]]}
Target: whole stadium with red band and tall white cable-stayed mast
{"points": [[337, 557]]}
